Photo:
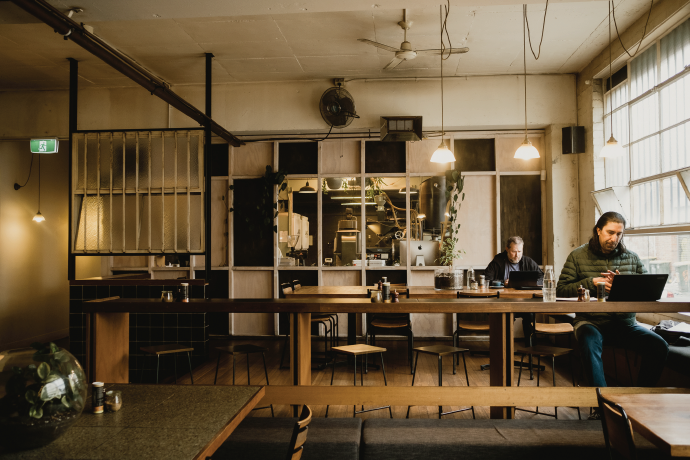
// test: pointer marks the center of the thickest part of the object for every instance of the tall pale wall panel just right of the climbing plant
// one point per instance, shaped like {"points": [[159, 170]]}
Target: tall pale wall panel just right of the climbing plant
{"points": [[477, 218]]}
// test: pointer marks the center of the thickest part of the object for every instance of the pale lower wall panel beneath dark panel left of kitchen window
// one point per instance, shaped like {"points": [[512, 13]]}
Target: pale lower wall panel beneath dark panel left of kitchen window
{"points": [[253, 284]]}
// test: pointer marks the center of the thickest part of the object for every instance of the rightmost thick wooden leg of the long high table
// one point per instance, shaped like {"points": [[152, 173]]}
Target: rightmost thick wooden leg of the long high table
{"points": [[501, 358]]}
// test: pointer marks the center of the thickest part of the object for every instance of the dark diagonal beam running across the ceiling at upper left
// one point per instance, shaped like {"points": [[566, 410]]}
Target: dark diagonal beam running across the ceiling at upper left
{"points": [[120, 62]]}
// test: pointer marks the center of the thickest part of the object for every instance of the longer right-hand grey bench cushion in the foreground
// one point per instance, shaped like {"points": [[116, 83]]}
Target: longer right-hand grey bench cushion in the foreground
{"points": [[487, 439]]}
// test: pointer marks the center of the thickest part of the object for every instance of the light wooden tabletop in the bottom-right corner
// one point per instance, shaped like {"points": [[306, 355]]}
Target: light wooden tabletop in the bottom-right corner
{"points": [[664, 419]]}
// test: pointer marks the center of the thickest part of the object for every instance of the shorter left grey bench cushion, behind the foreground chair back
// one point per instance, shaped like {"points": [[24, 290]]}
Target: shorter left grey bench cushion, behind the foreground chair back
{"points": [[268, 438]]}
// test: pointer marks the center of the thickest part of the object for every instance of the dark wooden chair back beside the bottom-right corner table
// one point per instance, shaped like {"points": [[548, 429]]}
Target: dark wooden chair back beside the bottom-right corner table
{"points": [[618, 432]]}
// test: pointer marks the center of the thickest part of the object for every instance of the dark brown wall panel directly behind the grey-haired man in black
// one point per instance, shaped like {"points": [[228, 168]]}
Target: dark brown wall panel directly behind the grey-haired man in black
{"points": [[521, 212]]}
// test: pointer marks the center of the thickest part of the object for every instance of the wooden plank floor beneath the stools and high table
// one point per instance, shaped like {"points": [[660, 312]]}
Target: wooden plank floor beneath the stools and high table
{"points": [[397, 372]]}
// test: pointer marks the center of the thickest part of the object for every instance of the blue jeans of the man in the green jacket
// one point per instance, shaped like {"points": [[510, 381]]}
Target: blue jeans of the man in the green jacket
{"points": [[649, 345]]}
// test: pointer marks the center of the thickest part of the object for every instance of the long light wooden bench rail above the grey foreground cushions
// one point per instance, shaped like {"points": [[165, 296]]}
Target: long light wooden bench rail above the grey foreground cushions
{"points": [[447, 396]]}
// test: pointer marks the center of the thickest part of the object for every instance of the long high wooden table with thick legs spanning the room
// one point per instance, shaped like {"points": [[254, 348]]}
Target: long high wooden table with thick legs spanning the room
{"points": [[109, 325]]}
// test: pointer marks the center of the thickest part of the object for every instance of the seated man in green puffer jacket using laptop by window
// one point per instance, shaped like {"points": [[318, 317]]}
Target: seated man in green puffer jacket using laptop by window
{"points": [[599, 261]]}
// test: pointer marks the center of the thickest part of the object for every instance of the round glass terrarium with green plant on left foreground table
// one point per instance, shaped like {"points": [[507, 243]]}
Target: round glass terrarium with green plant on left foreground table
{"points": [[42, 393]]}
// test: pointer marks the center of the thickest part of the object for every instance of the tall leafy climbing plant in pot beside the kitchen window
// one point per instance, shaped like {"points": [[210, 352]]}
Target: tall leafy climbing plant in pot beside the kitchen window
{"points": [[450, 277]]}
